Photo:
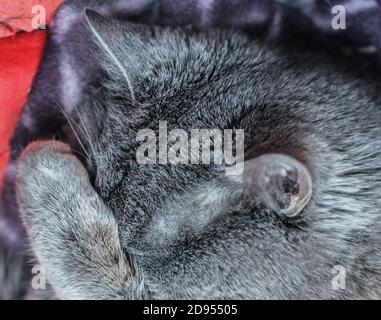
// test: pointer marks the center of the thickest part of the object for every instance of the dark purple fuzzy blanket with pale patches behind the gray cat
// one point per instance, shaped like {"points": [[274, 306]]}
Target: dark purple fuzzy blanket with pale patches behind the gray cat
{"points": [[352, 28]]}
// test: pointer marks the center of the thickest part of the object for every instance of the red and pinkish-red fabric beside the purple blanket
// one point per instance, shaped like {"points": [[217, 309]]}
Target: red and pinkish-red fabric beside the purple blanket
{"points": [[19, 58]]}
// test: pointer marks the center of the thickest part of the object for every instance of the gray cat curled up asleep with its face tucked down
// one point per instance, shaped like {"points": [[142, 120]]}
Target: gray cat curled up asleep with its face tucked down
{"points": [[104, 226]]}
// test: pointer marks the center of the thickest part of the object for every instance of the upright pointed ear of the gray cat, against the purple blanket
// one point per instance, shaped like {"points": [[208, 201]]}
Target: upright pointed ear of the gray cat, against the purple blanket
{"points": [[120, 46]]}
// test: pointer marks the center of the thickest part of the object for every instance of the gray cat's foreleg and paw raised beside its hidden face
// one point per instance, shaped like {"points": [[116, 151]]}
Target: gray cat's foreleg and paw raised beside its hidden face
{"points": [[73, 233]]}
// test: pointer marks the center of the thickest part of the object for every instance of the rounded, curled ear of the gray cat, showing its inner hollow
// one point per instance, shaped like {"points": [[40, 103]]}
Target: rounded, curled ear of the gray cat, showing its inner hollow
{"points": [[281, 182]]}
